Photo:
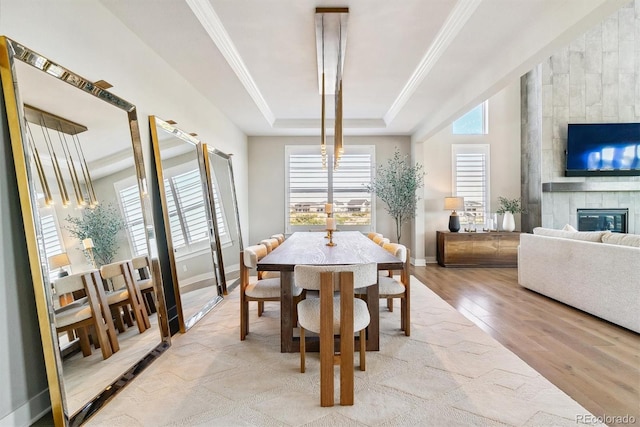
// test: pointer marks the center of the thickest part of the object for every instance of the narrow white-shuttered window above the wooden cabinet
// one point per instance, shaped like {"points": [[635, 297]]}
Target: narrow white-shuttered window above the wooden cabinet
{"points": [[471, 178]]}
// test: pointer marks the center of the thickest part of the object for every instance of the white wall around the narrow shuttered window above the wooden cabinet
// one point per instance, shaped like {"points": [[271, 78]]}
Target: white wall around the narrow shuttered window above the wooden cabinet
{"points": [[504, 140]]}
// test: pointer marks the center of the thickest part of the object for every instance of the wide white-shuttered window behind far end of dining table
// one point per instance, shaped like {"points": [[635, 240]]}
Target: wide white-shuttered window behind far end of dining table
{"points": [[309, 187]]}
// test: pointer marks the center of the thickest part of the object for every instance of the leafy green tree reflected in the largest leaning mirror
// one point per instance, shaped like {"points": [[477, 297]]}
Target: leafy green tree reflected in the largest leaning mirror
{"points": [[102, 224]]}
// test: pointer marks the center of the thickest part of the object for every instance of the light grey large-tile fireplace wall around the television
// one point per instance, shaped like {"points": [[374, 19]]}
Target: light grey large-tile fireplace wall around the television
{"points": [[596, 79]]}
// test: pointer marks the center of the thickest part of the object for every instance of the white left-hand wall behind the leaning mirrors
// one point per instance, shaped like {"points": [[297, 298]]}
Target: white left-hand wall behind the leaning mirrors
{"points": [[86, 38]]}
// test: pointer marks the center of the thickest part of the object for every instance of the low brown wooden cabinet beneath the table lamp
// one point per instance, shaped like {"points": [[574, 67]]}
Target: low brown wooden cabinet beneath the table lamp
{"points": [[478, 249]]}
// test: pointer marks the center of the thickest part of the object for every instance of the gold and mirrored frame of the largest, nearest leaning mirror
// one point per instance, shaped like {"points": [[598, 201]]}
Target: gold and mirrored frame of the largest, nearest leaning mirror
{"points": [[10, 51]]}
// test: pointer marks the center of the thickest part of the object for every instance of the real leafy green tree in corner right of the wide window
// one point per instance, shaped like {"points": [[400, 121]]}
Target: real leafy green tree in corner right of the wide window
{"points": [[396, 184]]}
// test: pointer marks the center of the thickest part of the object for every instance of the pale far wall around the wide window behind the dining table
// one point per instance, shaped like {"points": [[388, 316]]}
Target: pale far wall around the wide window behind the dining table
{"points": [[267, 181]]}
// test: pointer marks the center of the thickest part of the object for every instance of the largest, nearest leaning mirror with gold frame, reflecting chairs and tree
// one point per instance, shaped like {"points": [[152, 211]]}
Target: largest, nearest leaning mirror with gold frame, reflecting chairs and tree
{"points": [[88, 230]]}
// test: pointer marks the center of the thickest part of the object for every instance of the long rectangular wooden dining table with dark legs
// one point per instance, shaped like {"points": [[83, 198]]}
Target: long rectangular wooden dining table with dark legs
{"points": [[310, 248]]}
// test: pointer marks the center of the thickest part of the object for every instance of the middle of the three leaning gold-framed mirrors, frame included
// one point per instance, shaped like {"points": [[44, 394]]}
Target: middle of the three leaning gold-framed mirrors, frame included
{"points": [[191, 234]]}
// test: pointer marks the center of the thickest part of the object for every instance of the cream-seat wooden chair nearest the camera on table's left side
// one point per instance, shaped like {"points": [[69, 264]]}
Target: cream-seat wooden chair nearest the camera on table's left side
{"points": [[253, 288]]}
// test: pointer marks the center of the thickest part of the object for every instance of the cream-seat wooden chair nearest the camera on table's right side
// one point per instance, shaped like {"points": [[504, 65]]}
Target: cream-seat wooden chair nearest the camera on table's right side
{"points": [[389, 287]]}
